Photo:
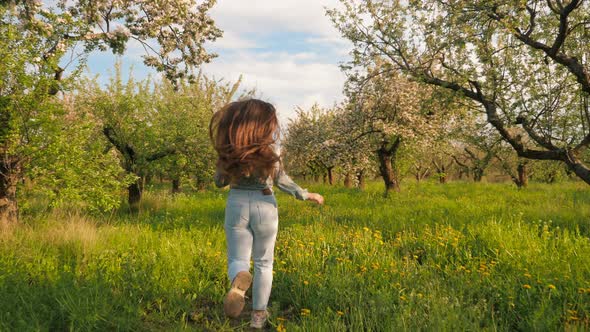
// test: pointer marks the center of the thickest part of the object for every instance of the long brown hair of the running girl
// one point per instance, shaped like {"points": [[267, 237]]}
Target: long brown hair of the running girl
{"points": [[243, 133]]}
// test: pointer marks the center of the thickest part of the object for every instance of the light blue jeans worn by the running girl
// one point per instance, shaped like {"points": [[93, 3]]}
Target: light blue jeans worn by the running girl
{"points": [[251, 225]]}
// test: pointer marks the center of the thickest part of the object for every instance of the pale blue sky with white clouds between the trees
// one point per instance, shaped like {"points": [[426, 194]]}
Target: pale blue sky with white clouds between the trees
{"points": [[288, 50]]}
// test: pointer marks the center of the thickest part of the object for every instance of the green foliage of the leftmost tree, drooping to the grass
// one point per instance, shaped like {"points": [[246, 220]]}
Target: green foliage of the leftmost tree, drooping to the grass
{"points": [[41, 137]]}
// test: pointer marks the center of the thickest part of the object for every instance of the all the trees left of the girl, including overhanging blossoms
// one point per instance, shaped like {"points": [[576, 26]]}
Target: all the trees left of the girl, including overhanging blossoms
{"points": [[80, 142]]}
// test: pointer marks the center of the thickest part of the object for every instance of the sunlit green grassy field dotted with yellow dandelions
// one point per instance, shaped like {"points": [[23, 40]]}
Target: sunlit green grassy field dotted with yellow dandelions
{"points": [[454, 257]]}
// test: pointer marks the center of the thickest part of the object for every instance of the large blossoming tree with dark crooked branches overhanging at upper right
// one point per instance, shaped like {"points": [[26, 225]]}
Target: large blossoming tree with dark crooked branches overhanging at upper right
{"points": [[523, 63]]}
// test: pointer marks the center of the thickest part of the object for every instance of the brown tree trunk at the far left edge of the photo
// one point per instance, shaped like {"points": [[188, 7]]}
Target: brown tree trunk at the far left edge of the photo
{"points": [[9, 177]]}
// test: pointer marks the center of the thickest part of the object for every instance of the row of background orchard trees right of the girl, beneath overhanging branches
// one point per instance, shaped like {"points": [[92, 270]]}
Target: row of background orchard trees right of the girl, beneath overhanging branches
{"points": [[324, 143]]}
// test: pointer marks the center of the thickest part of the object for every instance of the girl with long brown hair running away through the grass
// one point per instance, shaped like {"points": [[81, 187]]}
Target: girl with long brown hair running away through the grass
{"points": [[244, 134]]}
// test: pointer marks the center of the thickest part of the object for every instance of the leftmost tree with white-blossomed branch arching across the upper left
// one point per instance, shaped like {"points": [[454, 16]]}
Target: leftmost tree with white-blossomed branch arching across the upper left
{"points": [[36, 38]]}
